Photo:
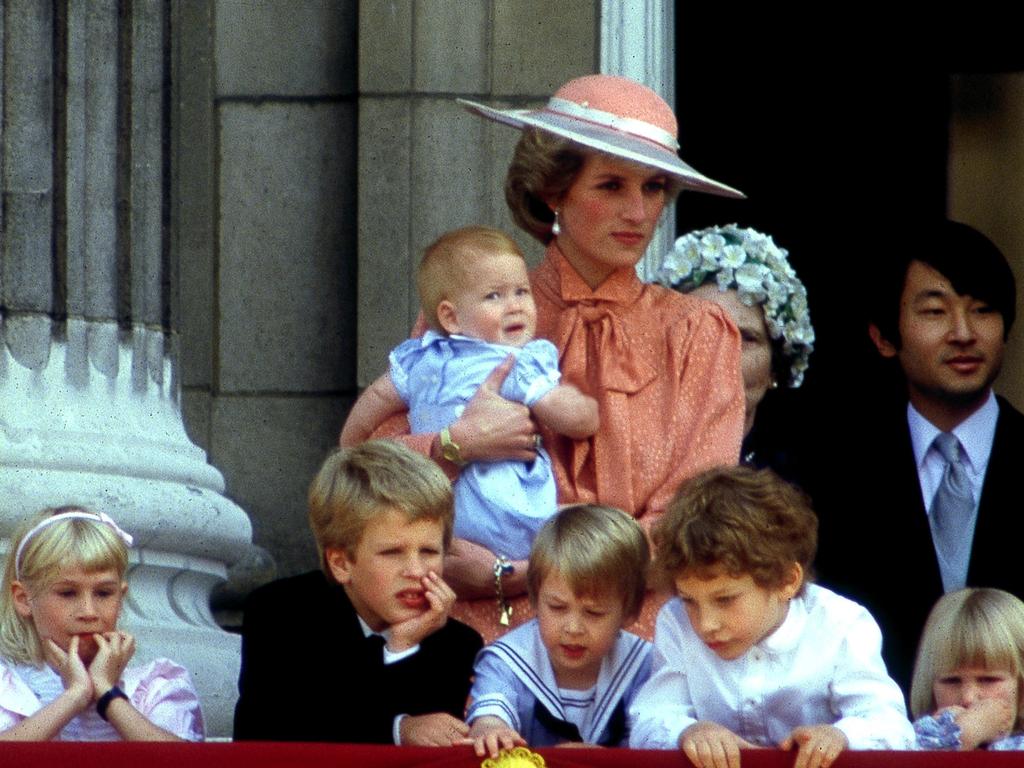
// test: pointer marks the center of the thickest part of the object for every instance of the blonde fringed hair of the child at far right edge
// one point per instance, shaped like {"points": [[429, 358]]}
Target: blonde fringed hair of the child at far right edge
{"points": [[983, 628]]}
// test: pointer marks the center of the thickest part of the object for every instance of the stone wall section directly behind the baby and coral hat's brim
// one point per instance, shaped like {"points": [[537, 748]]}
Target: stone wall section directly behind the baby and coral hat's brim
{"points": [[428, 166]]}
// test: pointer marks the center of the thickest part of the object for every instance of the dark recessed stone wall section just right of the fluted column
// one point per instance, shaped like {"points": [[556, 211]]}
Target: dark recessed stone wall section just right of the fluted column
{"points": [[265, 215]]}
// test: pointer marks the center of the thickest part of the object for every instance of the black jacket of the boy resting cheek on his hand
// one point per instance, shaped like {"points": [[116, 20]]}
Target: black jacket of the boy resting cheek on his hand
{"points": [[309, 674]]}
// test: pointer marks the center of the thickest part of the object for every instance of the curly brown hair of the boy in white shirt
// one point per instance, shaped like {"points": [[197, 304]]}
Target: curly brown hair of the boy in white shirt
{"points": [[741, 521]]}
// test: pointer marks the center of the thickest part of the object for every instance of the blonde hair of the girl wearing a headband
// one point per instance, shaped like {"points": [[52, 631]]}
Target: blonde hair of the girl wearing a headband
{"points": [[89, 544]]}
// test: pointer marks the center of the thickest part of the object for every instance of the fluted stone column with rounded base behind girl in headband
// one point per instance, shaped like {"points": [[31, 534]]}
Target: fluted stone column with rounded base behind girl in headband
{"points": [[90, 406]]}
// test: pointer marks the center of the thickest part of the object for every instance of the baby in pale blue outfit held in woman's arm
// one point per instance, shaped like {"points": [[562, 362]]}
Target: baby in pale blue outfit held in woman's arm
{"points": [[477, 298]]}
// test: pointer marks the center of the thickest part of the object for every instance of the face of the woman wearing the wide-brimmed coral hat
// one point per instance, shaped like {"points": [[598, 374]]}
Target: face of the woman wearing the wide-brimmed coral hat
{"points": [[609, 216]]}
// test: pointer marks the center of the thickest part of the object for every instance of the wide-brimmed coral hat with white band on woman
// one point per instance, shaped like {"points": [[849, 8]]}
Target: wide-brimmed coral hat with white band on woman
{"points": [[616, 116]]}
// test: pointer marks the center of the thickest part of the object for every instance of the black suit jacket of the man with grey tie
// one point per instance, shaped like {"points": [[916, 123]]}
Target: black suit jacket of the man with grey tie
{"points": [[876, 544]]}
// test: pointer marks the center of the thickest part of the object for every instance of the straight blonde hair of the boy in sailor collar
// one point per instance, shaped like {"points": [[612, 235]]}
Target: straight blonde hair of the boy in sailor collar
{"points": [[598, 550]]}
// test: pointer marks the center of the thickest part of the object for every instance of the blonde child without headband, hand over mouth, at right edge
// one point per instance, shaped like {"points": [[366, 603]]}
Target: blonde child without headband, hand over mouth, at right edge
{"points": [[970, 672]]}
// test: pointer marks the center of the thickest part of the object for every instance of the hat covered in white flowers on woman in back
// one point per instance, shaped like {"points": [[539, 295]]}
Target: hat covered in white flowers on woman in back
{"points": [[751, 264]]}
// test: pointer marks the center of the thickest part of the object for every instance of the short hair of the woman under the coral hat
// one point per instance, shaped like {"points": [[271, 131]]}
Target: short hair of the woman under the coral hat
{"points": [[544, 168]]}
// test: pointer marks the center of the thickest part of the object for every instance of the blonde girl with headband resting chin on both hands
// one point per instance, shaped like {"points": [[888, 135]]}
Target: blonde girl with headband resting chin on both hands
{"points": [[65, 671]]}
